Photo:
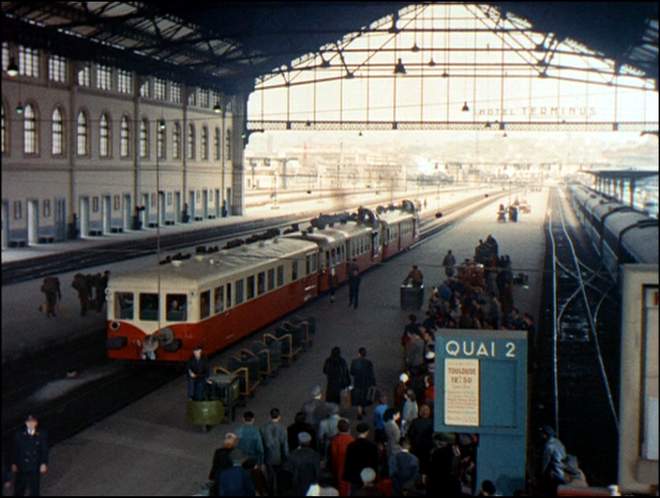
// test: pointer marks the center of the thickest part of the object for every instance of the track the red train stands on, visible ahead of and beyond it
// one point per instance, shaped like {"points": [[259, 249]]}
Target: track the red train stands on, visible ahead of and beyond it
{"points": [[122, 384]]}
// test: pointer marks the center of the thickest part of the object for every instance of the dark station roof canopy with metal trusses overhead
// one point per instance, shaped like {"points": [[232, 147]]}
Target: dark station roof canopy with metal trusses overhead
{"points": [[217, 43]]}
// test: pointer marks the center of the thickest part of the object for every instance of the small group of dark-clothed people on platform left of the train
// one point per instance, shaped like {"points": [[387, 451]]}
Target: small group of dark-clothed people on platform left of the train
{"points": [[90, 289]]}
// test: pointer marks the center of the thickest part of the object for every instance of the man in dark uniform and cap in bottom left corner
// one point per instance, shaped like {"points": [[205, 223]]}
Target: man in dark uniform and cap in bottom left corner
{"points": [[29, 458]]}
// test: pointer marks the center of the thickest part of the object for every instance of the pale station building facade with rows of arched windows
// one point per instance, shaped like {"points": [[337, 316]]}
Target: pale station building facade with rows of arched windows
{"points": [[90, 150]]}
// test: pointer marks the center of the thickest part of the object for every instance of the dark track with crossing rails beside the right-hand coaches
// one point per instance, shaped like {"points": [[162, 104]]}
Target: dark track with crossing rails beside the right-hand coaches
{"points": [[578, 384]]}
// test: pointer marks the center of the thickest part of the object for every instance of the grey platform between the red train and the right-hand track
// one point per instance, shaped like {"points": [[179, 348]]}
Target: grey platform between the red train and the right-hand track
{"points": [[148, 448]]}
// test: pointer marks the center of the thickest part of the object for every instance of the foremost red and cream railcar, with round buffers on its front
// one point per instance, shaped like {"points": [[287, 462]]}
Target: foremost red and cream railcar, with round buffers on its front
{"points": [[213, 299]]}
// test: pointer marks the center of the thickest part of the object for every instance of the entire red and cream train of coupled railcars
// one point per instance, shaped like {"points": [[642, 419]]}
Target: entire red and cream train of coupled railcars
{"points": [[213, 300]]}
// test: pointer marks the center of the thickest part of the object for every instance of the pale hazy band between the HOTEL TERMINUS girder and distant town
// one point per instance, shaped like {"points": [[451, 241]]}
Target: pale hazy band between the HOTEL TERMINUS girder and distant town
{"points": [[618, 149]]}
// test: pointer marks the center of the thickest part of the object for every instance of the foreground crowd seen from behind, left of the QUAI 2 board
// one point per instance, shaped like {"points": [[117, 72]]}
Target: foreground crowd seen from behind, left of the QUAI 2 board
{"points": [[393, 452]]}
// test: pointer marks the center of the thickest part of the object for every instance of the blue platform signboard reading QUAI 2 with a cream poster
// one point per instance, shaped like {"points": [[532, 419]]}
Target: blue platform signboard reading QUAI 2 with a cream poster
{"points": [[481, 387]]}
